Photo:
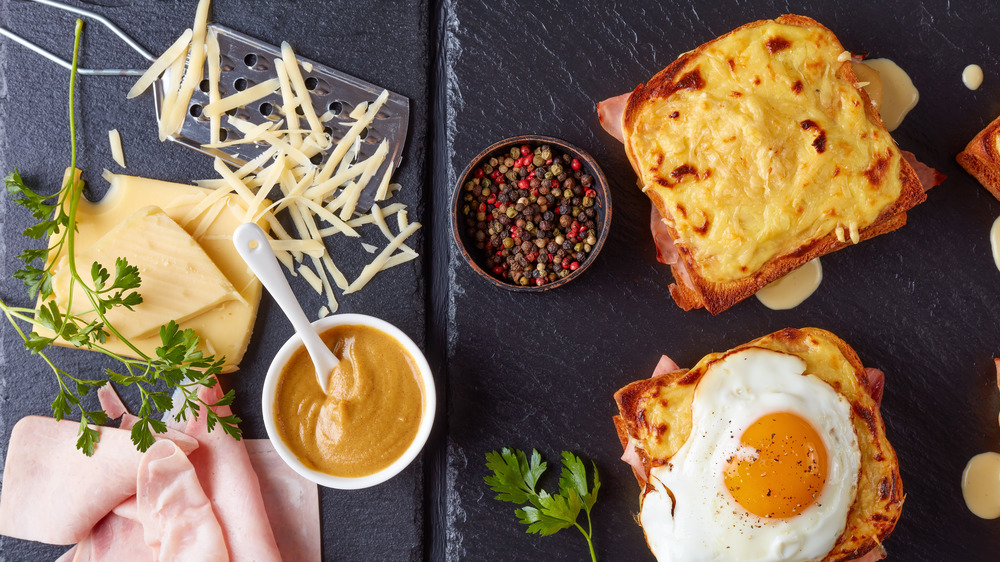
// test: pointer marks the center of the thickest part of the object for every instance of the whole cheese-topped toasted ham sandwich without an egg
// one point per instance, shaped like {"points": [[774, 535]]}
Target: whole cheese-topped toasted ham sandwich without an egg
{"points": [[759, 151]]}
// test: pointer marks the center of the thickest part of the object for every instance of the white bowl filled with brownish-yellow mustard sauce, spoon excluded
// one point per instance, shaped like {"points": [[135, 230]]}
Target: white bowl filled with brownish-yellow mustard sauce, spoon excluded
{"points": [[372, 434]]}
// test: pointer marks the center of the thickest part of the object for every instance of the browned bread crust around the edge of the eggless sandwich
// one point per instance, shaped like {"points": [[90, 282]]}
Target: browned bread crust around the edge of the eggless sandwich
{"points": [[700, 292]]}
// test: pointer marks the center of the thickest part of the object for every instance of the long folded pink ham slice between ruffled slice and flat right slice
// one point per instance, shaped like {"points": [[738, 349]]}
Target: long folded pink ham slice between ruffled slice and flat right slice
{"points": [[231, 484]]}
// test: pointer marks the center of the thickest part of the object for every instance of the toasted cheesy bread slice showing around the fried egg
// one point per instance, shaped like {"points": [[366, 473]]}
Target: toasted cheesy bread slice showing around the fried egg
{"points": [[655, 419]]}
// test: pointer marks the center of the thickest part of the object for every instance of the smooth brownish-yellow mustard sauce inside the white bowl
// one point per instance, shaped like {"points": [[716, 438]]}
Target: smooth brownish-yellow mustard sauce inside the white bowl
{"points": [[368, 430]]}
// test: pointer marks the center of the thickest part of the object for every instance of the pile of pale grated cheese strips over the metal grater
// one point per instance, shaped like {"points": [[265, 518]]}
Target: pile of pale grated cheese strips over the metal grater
{"points": [[320, 200]]}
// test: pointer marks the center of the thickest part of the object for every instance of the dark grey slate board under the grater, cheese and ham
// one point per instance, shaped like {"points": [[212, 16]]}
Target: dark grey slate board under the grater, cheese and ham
{"points": [[385, 522]]}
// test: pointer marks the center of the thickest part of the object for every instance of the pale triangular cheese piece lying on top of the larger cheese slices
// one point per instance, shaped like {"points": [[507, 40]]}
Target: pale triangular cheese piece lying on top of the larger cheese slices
{"points": [[179, 280]]}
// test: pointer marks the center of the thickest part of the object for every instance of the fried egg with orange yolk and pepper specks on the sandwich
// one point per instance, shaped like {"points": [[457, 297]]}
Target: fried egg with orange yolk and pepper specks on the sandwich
{"points": [[769, 471]]}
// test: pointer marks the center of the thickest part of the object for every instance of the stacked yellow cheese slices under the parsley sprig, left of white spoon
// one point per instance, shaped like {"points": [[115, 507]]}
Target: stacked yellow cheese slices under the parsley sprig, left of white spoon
{"points": [[189, 267]]}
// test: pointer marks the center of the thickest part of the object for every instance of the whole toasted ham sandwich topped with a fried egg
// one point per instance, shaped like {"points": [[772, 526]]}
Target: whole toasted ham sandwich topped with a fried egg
{"points": [[774, 450]]}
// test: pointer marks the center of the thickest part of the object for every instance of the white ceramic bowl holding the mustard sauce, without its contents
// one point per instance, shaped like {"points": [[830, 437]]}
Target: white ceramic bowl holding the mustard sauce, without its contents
{"points": [[426, 417]]}
